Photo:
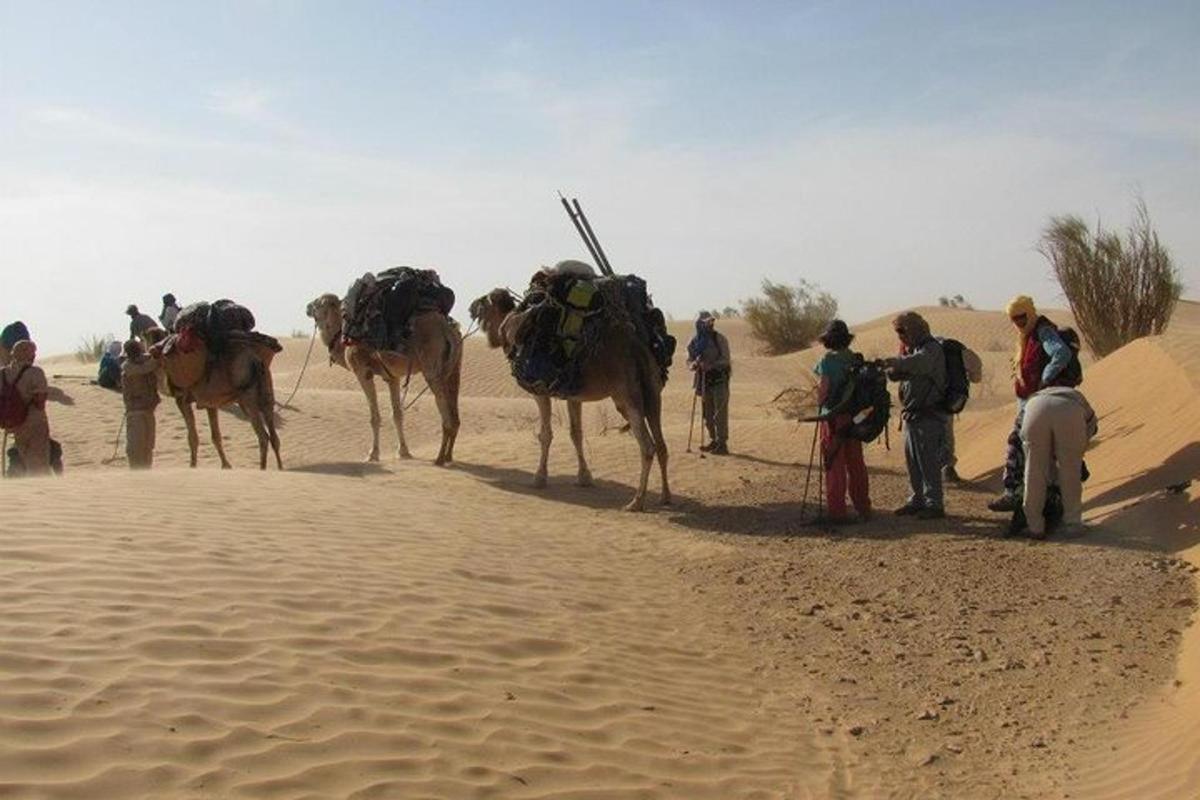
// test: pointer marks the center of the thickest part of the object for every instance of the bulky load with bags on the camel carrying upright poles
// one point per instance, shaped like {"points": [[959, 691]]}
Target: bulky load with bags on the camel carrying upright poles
{"points": [[563, 315]]}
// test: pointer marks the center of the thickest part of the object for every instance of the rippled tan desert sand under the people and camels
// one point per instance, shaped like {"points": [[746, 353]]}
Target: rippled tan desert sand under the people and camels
{"points": [[397, 630]]}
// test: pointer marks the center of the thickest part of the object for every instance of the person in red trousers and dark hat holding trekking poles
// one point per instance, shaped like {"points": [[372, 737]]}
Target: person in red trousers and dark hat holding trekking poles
{"points": [[842, 456]]}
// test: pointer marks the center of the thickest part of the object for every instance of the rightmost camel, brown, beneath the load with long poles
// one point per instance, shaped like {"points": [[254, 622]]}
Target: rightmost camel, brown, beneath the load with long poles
{"points": [[622, 369]]}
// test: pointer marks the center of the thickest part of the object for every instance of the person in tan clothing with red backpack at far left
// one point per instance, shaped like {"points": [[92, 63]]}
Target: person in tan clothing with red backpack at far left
{"points": [[23, 392]]}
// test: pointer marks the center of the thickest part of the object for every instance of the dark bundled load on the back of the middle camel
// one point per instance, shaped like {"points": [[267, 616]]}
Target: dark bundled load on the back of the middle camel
{"points": [[379, 309]]}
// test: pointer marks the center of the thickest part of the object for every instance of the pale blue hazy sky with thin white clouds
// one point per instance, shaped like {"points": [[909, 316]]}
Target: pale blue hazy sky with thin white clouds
{"points": [[273, 151]]}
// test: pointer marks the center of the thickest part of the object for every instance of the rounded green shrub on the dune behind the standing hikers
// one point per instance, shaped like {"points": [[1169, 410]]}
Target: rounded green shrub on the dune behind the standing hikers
{"points": [[789, 318]]}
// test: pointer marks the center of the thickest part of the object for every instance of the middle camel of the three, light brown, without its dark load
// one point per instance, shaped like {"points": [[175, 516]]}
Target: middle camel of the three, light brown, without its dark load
{"points": [[435, 351]]}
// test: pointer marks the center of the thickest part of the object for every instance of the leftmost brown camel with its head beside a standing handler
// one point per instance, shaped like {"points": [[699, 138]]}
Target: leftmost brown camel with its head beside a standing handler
{"points": [[241, 376]]}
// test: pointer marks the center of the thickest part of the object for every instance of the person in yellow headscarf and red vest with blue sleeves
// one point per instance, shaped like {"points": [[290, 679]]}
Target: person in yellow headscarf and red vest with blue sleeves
{"points": [[1042, 357]]}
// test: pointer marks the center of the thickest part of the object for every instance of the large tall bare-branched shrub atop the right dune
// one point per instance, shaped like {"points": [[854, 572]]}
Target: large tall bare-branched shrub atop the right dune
{"points": [[1119, 288]]}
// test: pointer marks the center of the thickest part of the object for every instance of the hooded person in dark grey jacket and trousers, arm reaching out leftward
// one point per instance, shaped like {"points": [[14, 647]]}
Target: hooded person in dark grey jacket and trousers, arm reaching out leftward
{"points": [[921, 370]]}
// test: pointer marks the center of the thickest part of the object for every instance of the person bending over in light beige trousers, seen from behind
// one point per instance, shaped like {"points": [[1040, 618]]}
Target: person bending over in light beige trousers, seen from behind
{"points": [[1055, 431]]}
